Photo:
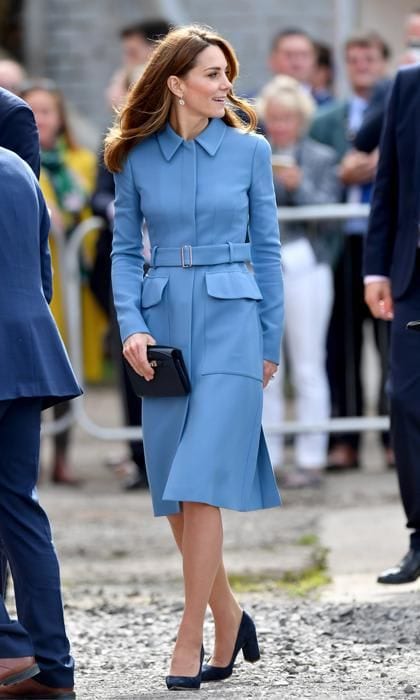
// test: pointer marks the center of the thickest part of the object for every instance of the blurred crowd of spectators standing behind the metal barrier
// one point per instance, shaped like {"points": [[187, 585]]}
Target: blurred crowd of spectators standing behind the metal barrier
{"points": [[325, 150]]}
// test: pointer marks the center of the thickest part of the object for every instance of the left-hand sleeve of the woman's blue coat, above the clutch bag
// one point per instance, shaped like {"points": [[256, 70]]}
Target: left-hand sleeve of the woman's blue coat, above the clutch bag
{"points": [[127, 254]]}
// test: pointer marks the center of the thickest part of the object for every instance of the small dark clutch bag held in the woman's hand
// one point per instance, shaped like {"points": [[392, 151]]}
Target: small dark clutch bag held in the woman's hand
{"points": [[171, 376]]}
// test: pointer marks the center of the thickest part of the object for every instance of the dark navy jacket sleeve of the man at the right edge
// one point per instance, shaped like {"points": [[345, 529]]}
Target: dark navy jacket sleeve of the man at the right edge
{"points": [[384, 210]]}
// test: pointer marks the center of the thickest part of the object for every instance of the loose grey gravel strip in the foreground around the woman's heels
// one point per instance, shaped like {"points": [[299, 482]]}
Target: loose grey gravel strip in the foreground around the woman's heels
{"points": [[123, 642]]}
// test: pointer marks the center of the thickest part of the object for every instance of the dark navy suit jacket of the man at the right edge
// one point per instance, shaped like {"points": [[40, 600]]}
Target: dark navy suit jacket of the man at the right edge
{"points": [[392, 238]]}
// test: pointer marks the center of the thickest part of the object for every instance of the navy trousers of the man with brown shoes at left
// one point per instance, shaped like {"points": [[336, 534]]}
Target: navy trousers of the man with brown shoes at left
{"points": [[26, 536]]}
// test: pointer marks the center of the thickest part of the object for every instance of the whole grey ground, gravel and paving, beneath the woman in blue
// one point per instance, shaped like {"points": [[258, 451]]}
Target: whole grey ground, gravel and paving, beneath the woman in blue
{"points": [[123, 592]]}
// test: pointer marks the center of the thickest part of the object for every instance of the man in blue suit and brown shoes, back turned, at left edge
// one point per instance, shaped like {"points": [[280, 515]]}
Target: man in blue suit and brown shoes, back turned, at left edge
{"points": [[35, 373]]}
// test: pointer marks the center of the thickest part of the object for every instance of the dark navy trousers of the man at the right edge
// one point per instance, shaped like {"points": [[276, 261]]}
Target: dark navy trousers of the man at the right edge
{"points": [[405, 402]]}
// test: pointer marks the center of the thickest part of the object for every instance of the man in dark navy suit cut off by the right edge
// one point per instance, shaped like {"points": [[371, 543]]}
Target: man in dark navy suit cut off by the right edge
{"points": [[392, 292]]}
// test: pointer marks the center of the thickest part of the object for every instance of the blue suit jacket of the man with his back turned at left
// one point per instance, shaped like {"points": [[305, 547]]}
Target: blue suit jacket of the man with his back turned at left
{"points": [[33, 361]]}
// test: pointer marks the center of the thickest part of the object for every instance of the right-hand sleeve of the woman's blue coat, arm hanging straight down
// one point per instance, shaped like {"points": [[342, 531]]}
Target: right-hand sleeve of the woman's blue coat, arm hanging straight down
{"points": [[265, 250]]}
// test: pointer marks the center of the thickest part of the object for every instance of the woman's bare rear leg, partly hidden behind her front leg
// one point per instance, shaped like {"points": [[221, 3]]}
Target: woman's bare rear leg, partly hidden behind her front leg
{"points": [[226, 611]]}
